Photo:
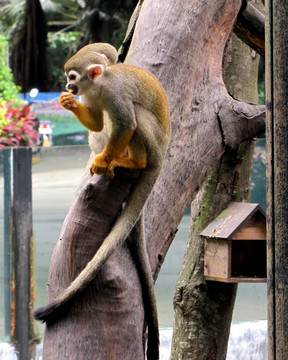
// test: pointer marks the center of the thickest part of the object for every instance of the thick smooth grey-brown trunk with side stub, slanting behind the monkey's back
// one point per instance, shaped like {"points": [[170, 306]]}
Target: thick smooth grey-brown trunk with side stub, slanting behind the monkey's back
{"points": [[183, 46]]}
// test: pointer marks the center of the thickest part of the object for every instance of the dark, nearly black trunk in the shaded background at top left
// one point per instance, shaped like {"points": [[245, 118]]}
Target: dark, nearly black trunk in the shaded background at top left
{"points": [[28, 58]]}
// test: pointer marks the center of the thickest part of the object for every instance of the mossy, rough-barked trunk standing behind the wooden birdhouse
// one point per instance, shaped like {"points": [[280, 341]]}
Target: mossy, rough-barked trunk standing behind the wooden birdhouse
{"points": [[204, 309]]}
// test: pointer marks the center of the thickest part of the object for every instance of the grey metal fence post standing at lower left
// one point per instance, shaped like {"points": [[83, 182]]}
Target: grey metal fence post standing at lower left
{"points": [[18, 234]]}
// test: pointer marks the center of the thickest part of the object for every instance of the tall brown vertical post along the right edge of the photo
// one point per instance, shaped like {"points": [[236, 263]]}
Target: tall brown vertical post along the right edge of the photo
{"points": [[277, 177]]}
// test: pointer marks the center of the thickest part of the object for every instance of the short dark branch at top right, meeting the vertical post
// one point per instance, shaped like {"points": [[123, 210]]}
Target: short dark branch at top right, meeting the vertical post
{"points": [[250, 28]]}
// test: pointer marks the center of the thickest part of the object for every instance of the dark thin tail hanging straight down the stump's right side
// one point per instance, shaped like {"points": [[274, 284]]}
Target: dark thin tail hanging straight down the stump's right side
{"points": [[137, 247]]}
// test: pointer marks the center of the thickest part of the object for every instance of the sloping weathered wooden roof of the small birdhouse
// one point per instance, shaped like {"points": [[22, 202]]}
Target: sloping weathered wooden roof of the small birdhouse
{"points": [[232, 219]]}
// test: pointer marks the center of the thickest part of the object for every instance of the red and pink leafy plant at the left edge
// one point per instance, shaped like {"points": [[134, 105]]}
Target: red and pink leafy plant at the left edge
{"points": [[18, 129]]}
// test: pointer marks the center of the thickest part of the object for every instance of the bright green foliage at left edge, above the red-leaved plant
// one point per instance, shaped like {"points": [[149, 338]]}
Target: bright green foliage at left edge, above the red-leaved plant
{"points": [[8, 89]]}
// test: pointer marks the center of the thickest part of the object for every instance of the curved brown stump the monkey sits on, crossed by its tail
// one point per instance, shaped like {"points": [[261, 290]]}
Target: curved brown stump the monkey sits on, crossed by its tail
{"points": [[102, 323]]}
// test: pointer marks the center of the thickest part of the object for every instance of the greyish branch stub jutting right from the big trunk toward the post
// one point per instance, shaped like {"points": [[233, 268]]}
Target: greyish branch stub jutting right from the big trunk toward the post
{"points": [[241, 121]]}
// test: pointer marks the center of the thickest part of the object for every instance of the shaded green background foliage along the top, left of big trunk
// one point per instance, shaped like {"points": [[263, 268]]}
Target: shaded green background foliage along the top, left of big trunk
{"points": [[91, 21]]}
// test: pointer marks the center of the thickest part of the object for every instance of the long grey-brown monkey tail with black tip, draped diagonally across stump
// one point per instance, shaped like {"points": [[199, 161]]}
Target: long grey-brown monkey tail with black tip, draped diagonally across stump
{"points": [[116, 237]]}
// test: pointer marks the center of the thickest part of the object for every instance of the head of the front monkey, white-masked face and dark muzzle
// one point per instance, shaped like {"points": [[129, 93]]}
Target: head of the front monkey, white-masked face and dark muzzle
{"points": [[82, 69]]}
